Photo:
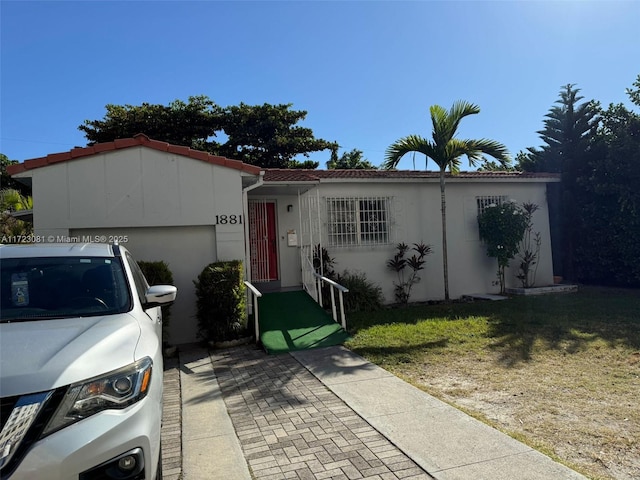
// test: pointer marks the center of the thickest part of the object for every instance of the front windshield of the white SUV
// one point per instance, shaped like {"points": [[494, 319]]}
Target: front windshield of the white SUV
{"points": [[61, 287]]}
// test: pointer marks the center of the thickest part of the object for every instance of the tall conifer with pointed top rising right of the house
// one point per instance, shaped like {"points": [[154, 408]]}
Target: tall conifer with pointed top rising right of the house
{"points": [[568, 130]]}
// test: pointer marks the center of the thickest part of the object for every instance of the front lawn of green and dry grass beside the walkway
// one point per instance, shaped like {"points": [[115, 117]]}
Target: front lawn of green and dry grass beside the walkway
{"points": [[560, 372]]}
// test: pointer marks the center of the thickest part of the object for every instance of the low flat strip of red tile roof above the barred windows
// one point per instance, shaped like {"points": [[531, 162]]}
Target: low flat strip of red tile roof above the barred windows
{"points": [[300, 175]]}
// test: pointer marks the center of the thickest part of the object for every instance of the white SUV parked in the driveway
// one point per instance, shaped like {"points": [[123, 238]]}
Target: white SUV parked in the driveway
{"points": [[80, 364]]}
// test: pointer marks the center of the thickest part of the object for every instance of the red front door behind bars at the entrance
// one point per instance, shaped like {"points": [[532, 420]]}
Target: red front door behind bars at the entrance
{"points": [[263, 239]]}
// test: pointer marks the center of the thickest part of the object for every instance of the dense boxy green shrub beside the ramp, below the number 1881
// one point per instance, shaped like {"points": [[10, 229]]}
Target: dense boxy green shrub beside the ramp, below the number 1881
{"points": [[220, 293]]}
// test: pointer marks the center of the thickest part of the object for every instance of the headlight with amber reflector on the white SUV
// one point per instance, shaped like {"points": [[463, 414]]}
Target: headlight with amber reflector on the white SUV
{"points": [[114, 390]]}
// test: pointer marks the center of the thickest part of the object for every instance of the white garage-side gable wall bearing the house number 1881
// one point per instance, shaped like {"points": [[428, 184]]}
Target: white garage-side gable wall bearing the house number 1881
{"points": [[166, 204]]}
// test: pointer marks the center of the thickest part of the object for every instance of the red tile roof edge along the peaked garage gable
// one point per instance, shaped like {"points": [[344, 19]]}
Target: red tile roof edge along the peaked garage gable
{"points": [[136, 141]]}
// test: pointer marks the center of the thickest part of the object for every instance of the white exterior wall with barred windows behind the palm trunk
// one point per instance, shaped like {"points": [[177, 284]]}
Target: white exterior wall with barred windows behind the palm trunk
{"points": [[416, 217]]}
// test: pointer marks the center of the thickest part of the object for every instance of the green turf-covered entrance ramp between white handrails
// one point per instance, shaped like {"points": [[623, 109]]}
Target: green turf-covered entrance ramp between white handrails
{"points": [[294, 321]]}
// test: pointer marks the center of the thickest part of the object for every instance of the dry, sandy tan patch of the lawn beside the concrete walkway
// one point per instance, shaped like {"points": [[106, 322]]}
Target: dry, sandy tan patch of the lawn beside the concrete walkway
{"points": [[587, 419]]}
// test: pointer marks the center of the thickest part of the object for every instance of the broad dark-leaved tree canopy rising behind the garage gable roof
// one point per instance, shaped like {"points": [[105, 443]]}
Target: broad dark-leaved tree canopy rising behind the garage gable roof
{"points": [[263, 135]]}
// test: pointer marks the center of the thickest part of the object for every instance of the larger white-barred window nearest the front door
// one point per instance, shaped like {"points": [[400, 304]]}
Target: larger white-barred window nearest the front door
{"points": [[358, 221]]}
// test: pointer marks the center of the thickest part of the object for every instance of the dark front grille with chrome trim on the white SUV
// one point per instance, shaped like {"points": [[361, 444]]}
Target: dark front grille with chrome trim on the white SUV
{"points": [[23, 418]]}
